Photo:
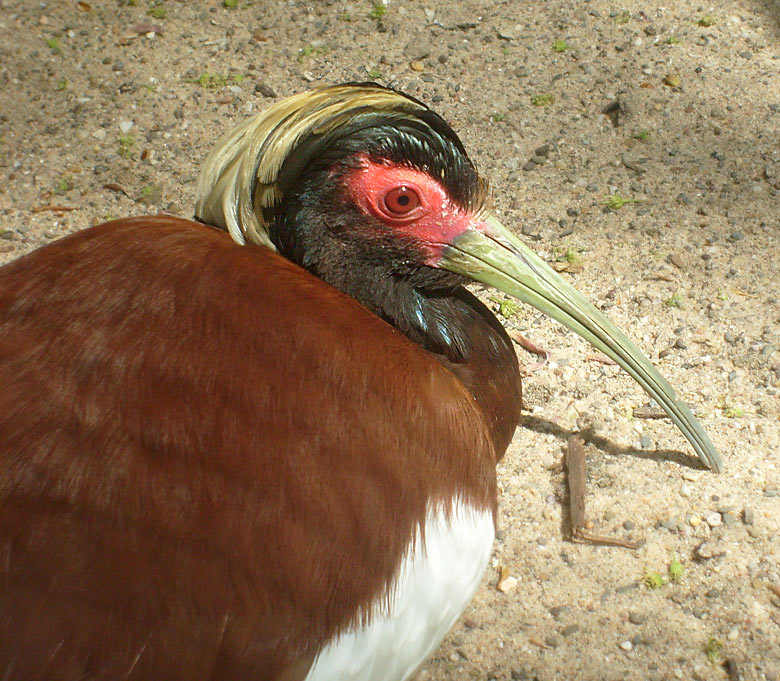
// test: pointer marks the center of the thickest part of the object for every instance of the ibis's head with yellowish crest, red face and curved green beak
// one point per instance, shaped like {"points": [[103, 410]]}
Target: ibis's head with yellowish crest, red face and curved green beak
{"points": [[359, 176]]}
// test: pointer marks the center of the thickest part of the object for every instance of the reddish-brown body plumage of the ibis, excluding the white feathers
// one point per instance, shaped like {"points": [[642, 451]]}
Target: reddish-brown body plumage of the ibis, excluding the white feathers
{"points": [[201, 446]]}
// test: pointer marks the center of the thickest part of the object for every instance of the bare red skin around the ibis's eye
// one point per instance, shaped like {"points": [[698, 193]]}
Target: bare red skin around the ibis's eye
{"points": [[429, 217]]}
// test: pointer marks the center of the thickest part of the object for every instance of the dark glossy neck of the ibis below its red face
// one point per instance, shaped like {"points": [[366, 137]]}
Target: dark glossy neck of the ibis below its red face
{"points": [[326, 235]]}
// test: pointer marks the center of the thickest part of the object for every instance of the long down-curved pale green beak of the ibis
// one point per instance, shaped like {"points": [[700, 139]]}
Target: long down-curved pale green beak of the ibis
{"points": [[489, 253]]}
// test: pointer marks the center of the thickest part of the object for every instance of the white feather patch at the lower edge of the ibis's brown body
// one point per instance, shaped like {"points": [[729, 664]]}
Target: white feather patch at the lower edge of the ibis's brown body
{"points": [[434, 585]]}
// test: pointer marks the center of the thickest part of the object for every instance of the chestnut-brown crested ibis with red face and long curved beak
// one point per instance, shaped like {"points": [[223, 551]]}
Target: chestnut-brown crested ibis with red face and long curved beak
{"points": [[261, 444]]}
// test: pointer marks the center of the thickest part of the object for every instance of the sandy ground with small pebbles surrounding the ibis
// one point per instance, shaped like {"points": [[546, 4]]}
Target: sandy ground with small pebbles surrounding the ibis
{"points": [[107, 108]]}
